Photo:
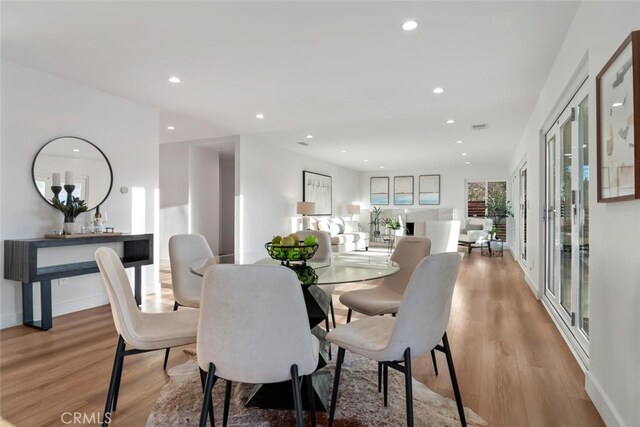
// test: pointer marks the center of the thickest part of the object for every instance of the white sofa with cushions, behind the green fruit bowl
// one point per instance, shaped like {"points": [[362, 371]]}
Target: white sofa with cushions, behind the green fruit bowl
{"points": [[346, 235]]}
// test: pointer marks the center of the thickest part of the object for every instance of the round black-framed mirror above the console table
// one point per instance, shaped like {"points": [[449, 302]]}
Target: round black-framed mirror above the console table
{"points": [[77, 159]]}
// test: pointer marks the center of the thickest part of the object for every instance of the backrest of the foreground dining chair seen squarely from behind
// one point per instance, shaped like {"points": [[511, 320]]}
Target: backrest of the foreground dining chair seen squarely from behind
{"points": [[253, 324]]}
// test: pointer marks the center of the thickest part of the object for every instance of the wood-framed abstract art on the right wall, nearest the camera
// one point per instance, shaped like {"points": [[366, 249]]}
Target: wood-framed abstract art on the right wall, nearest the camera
{"points": [[617, 121]]}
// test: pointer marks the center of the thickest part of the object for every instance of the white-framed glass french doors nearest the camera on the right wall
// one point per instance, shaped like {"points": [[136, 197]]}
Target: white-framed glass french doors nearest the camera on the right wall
{"points": [[567, 218]]}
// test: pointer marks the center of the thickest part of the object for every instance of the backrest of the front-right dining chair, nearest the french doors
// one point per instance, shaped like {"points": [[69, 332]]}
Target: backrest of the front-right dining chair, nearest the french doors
{"points": [[426, 305]]}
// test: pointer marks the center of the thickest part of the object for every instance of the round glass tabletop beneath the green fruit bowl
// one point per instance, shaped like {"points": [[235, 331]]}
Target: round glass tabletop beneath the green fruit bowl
{"points": [[342, 268]]}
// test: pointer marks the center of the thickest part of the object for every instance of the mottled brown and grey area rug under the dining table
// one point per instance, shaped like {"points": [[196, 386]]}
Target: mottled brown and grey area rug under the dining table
{"points": [[359, 403]]}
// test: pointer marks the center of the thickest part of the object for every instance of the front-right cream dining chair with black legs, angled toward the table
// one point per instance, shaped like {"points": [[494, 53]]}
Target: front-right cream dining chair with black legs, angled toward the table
{"points": [[418, 328]]}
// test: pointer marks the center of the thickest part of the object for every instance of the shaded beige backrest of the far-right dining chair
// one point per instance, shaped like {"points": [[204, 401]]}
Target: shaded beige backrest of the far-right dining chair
{"points": [[409, 251]]}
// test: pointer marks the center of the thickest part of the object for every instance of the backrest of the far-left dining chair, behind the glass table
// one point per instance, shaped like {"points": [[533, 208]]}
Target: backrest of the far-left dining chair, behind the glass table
{"points": [[184, 250]]}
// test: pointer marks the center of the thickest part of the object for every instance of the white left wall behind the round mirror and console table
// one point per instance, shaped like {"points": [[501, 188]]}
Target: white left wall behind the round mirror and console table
{"points": [[37, 107]]}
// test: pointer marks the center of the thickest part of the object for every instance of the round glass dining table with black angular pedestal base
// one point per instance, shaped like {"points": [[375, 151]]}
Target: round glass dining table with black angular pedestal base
{"points": [[341, 268]]}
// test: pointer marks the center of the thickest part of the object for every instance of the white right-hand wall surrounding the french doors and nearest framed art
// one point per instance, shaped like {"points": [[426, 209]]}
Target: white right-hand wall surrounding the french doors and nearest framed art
{"points": [[613, 379]]}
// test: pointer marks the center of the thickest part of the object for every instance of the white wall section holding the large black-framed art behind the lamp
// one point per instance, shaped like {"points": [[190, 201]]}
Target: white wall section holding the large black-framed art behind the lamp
{"points": [[270, 184]]}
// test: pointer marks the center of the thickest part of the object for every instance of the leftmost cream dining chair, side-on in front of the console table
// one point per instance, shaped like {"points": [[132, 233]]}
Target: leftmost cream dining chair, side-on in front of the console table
{"points": [[138, 331]]}
